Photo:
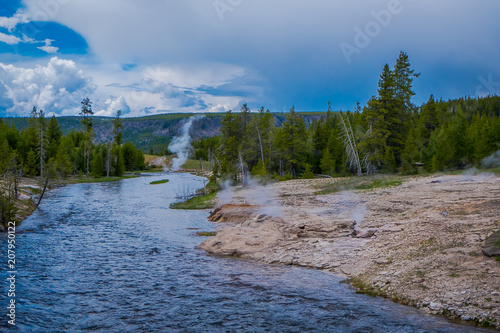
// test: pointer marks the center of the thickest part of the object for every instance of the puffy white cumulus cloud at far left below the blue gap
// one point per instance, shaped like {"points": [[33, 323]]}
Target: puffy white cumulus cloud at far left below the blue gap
{"points": [[57, 87]]}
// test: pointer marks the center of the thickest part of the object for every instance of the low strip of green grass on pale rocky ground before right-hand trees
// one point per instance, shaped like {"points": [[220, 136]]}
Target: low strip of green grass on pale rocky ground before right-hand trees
{"points": [[360, 183]]}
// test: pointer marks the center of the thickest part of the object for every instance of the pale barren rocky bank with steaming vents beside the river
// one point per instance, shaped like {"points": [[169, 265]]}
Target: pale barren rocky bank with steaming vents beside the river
{"points": [[420, 243]]}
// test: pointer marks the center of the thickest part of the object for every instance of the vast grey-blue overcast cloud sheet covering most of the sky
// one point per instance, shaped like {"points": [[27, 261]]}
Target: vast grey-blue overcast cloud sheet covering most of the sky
{"points": [[272, 55]]}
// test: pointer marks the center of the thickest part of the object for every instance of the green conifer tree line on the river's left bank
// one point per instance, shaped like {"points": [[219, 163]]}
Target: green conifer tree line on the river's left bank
{"points": [[41, 150]]}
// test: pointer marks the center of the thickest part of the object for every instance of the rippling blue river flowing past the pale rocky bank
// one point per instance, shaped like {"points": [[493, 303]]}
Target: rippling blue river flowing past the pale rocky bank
{"points": [[112, 257]]}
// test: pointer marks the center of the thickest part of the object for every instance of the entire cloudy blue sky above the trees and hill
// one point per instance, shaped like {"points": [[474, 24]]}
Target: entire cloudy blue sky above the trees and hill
{"points": [[147, 57]]}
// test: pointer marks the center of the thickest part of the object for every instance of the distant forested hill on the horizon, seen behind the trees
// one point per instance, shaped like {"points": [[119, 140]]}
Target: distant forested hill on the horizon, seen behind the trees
{"points": [[151, 133]]}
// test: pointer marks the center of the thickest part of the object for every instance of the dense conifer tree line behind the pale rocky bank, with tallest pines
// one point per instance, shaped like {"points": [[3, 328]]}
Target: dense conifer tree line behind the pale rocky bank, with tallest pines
{"points": [[388, 135]]}
